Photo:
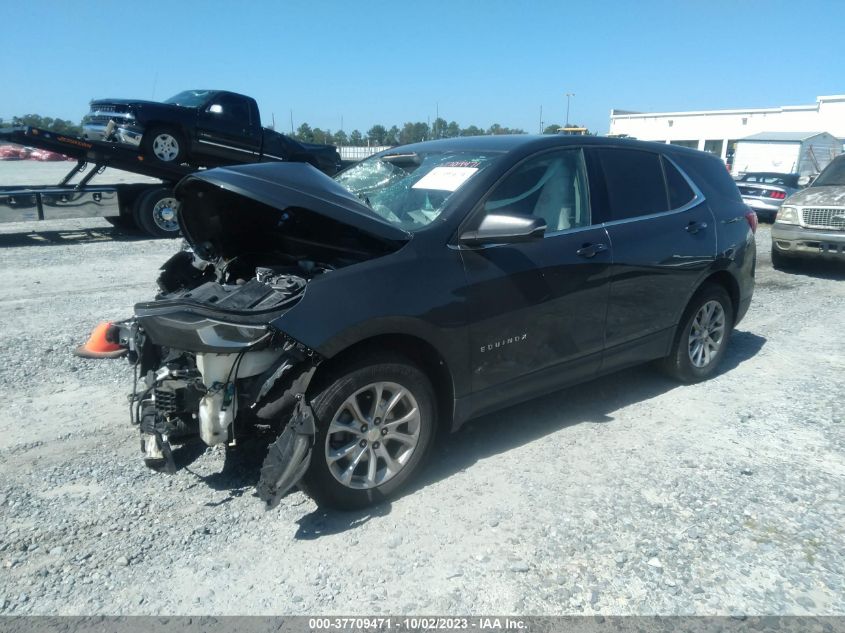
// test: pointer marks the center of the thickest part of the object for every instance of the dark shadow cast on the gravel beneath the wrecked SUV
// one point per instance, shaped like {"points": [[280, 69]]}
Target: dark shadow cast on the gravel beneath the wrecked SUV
{"points": [[593, 403]]}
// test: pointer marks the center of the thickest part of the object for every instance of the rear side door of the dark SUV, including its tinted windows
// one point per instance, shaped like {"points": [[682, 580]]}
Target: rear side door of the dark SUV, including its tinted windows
{"points": [[664, 239]]}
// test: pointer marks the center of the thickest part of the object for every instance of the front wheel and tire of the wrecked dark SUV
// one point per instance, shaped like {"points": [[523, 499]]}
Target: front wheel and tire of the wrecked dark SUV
{"points": [[376, 423]]}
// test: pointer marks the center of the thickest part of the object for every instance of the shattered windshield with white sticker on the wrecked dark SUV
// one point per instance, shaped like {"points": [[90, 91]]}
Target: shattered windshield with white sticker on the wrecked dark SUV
{"points": [[410, 189]]}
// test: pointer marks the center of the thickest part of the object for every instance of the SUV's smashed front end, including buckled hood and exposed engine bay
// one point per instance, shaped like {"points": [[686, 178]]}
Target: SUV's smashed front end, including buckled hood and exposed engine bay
{"points": [[211, 357]]}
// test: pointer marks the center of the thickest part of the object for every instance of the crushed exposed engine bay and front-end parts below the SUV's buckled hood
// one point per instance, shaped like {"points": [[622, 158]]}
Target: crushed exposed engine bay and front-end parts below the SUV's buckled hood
{"points": [[219, 376]]}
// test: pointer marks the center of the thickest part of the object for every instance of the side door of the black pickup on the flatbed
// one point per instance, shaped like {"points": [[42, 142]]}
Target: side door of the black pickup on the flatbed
{"points": [[226, 129]]}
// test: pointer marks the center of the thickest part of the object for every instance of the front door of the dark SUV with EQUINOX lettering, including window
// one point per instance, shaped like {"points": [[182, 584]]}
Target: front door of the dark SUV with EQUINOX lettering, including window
{"points": [[537, 309]]}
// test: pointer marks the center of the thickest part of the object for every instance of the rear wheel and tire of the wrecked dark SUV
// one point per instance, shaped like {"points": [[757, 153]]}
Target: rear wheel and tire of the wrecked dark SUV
{"points": [[702, 336]]}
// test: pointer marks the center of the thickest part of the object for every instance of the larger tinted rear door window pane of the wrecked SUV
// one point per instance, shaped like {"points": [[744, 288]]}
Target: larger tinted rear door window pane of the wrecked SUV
{"points": [[634, 181]]}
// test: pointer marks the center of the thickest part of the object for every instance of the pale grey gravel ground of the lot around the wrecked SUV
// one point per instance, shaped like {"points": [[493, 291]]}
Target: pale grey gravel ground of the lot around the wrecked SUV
{"points": [[628, 495]]}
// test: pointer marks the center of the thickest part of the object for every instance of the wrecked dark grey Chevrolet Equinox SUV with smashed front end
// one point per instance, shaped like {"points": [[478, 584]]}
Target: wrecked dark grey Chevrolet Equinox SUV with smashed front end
{"points": [[360, 315]]}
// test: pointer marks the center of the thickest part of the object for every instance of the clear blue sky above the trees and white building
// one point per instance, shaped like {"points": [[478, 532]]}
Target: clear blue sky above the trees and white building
{"points": [[394, 61]]}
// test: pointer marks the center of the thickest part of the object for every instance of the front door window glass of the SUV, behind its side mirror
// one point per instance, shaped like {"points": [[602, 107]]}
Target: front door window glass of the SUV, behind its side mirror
{"points": [[552, 186]]}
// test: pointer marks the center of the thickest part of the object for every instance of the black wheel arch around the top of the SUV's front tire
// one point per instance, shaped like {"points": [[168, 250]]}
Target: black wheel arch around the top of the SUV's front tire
{"points": [[418, 351]]}
